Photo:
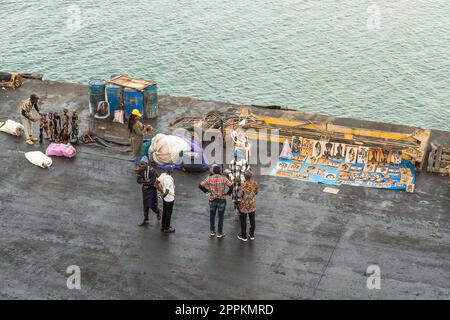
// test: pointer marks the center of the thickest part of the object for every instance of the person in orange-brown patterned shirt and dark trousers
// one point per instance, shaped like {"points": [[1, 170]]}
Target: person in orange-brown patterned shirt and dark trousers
{"points": [[247, 206]]}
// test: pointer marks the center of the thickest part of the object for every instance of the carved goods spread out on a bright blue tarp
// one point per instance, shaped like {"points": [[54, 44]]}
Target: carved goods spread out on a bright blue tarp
{"points": [[336, 163]]}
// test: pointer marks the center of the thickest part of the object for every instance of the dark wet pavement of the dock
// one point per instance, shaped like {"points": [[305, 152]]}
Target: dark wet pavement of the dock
{"points": [[309, 244]]}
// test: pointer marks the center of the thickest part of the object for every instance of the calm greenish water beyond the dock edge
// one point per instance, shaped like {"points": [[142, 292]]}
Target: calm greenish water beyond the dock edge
{"points": [[380, 59]]}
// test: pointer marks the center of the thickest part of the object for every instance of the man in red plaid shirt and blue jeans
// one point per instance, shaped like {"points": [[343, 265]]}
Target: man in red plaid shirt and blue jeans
{"points": [[218, 187]]}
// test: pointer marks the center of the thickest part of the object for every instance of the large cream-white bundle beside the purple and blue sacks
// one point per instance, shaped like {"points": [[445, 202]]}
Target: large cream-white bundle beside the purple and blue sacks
{"points": [[166, 148]]}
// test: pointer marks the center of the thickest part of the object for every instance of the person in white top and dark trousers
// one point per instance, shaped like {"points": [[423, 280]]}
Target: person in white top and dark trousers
{"points": [[166, 186]]}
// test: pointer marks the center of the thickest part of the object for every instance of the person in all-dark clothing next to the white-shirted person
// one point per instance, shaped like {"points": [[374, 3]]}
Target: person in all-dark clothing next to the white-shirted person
{"points": [[147, 177]]}
